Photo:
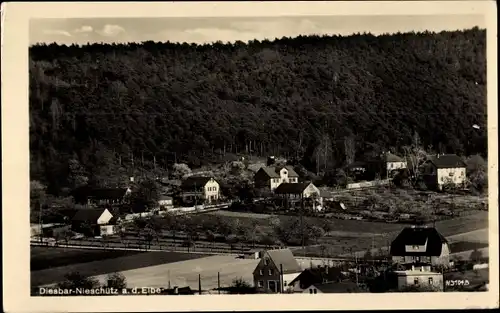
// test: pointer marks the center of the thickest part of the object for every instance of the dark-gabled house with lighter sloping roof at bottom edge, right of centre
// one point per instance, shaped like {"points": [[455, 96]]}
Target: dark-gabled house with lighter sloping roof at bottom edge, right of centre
{"points": [[275, 270]]}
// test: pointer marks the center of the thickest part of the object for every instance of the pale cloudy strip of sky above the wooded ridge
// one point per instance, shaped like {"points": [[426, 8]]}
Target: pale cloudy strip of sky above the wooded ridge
{"points": [[230, 29]]}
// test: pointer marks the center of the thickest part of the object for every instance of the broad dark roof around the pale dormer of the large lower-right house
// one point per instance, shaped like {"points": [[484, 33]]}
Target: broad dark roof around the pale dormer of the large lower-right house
{"points": [[410, 236]]}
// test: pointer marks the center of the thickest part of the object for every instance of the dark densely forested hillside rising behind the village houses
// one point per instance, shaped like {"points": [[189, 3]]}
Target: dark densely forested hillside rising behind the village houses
{"points": [[93, 108]]}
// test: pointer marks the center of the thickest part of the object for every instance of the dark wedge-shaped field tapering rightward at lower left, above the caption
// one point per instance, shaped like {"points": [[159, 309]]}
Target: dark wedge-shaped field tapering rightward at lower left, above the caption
{"points": [[117, 264]]}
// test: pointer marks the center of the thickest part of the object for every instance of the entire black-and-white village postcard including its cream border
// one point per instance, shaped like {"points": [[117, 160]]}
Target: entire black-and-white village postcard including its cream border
{"points": [[236, 154]]}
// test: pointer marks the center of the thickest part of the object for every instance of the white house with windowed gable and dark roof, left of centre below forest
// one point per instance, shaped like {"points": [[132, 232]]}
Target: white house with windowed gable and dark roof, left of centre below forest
{"points": [[200, 190]]}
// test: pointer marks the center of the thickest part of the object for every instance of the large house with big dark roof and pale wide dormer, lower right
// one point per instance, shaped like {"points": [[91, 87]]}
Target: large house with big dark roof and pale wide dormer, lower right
{"points": [[420, 245]]}
